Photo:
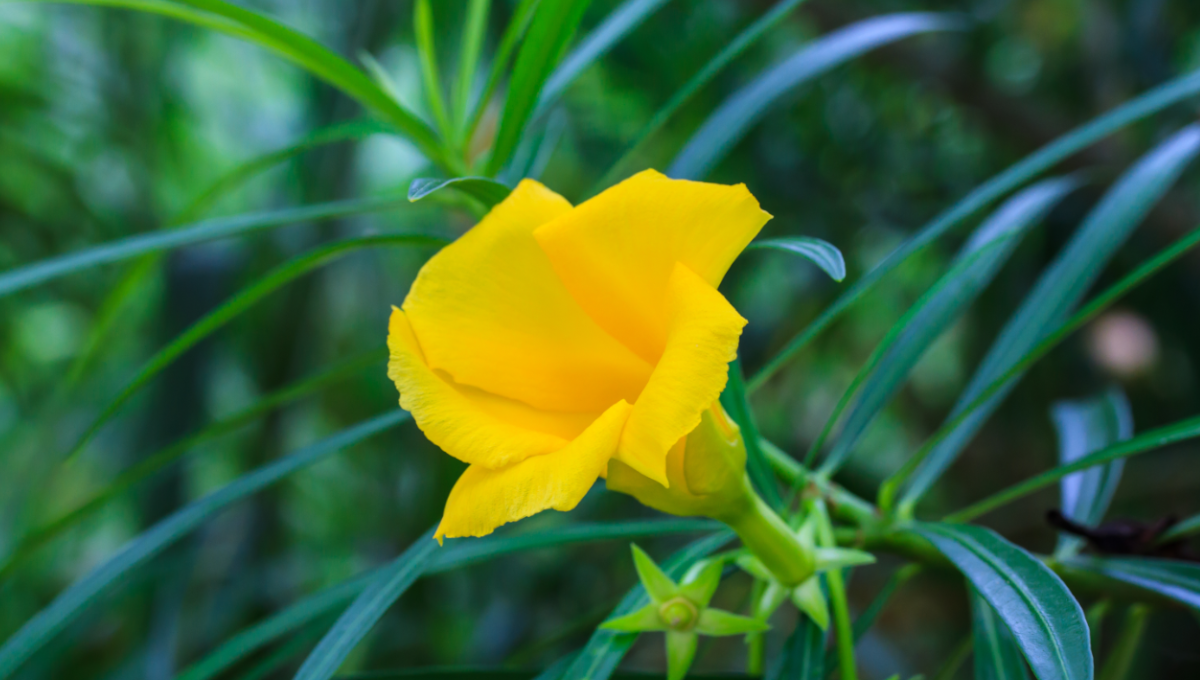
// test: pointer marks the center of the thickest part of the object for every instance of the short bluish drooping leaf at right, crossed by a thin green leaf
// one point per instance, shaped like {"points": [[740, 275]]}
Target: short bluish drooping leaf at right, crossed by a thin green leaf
{"points": [[1085, 428]]}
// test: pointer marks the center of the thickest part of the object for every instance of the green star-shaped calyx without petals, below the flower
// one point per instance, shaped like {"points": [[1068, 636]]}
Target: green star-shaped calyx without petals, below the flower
{"points": [[681, 611]]}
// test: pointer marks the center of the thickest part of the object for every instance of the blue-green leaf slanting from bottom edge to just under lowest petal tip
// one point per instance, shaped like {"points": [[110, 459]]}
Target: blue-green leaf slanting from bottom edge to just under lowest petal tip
{"points": [[369, 607]]}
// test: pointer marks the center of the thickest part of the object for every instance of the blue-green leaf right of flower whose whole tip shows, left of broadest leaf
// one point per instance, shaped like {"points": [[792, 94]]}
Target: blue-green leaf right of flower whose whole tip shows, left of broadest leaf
{"points": [[938, 310]]}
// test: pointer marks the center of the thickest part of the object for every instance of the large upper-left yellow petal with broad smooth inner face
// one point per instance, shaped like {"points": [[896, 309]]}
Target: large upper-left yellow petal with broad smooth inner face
{"points": [[491, 314]]}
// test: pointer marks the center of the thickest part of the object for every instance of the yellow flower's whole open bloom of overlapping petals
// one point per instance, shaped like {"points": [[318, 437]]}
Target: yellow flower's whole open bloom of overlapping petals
{"points": [[551, 340]]}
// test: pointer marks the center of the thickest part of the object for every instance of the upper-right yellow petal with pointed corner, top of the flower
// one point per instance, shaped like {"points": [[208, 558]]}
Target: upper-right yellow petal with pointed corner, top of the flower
{"points": [[616, 252]]}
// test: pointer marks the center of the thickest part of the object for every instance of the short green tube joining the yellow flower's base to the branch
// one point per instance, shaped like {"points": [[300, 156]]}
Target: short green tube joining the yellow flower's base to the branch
{"points": [[771, 540]]}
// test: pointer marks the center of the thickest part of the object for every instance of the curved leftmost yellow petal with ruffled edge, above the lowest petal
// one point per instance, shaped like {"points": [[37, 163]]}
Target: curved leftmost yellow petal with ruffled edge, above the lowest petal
{"points": [[472, 425]]}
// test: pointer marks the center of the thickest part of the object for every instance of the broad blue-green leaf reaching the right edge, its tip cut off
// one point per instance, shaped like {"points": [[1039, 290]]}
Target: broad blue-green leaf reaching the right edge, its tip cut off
{"points": [[1061, 288]]}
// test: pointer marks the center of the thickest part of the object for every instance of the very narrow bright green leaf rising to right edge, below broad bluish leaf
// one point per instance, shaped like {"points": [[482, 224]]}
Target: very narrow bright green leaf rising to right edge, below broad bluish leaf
{"points": [[1168, 256]]}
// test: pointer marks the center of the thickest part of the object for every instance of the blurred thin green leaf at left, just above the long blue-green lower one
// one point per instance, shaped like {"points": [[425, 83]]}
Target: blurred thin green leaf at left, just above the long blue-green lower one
{"points": [[160, 460]]}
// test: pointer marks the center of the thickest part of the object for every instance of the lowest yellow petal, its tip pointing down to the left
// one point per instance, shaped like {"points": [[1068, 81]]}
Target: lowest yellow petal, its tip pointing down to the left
{"points": [[485, 500]]}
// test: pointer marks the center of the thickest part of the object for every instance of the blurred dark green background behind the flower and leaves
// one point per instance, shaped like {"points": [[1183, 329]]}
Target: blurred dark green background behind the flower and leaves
{"points": [[113, 123]]}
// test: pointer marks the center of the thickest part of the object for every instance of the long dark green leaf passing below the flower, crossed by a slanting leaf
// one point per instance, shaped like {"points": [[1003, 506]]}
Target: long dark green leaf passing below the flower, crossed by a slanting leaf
{"points": [[459, 555]]}
